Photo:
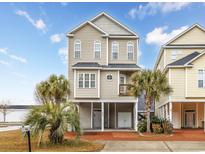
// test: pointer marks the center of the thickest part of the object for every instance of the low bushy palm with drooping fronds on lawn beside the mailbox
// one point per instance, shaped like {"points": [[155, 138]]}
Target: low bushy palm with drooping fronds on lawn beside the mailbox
{"points": [[55, 118]]}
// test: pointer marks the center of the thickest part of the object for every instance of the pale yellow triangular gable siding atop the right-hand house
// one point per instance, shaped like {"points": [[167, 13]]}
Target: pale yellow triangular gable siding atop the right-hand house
{"points": [[194, 36]]}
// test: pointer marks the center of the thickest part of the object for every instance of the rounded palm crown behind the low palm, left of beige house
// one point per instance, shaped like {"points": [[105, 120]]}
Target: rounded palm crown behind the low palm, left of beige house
{"points": [[55, 89]]}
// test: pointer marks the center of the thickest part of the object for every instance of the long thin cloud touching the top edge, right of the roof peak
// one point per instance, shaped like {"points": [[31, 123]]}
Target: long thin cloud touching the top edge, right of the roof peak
{"points": [[151, 8]]}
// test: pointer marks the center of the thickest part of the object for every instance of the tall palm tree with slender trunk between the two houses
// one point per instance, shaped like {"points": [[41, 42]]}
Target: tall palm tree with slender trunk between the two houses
{"points": [[151, 84]]}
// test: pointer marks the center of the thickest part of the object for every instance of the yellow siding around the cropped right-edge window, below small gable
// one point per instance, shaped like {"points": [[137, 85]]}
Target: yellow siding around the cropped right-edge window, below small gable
{"points": [[192, 79]]}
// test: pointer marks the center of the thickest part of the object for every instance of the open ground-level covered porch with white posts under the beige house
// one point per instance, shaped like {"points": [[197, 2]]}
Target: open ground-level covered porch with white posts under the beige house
{"points": [[108, 116]]}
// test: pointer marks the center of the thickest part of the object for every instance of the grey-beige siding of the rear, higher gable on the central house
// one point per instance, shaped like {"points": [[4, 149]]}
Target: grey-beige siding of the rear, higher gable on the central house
{"points": [[110, 27]]}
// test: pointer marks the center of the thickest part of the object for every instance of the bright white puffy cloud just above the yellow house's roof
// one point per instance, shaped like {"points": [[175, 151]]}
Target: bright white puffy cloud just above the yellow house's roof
{"points": [[159, 36]]}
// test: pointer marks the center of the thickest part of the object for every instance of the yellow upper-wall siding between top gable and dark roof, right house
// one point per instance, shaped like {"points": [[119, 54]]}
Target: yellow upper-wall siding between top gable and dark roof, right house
{"points": [[181, 53]]}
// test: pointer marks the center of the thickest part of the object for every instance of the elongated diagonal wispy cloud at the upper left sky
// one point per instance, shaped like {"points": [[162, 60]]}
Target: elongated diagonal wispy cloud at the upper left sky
{"points": [[39, 24]]}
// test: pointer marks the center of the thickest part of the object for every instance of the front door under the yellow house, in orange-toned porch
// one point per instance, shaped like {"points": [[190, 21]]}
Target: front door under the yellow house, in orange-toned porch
{"points": [[190, 119]]}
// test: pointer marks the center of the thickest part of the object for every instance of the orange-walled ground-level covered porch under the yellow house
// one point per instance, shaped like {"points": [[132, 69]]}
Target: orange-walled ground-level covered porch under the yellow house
{"points": [[184, 114]]}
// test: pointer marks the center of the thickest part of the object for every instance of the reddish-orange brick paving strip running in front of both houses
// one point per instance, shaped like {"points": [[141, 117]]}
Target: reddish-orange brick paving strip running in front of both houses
{"points": [[178, 135]]}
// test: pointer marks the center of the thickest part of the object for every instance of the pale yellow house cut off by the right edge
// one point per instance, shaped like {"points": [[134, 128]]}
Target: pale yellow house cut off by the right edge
{"points": [[183, 61]]}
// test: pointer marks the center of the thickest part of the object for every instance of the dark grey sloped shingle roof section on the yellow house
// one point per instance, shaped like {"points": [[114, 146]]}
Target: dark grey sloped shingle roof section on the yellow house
{"points": [[184, 60]]}
